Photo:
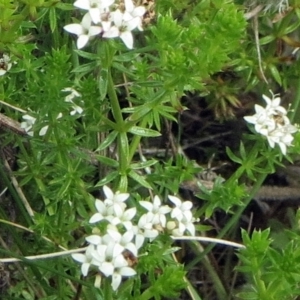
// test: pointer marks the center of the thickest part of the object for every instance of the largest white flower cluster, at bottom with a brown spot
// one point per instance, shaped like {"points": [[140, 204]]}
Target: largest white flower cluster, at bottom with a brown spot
{"points": [[114, 253]]}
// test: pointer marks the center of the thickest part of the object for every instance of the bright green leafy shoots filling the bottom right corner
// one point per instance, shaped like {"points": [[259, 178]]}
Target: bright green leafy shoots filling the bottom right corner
{"points": [[273, 272]]}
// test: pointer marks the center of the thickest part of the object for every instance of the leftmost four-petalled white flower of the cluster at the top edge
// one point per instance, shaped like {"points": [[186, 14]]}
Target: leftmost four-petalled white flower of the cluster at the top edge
{"points": [[84, 31]]}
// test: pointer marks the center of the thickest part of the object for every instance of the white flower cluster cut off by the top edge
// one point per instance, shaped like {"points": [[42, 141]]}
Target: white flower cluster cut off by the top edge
{"points": [[108, 18]]}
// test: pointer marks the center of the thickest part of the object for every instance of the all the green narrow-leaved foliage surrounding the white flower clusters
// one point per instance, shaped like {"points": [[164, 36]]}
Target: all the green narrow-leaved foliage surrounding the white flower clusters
{"points": [[129, 98]]}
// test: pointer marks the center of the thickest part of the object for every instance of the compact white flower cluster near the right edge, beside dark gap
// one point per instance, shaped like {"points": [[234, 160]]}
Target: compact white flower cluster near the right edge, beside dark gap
{"points": [[273, 123]]}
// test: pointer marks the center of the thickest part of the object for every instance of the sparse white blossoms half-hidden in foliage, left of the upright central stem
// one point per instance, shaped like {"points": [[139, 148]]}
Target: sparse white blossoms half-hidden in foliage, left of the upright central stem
{"points": [[29, 121]]}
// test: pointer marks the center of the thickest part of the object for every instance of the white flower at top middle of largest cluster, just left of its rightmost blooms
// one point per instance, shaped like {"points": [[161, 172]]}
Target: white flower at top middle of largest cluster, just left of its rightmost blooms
{"points": [[157, 209]]}
